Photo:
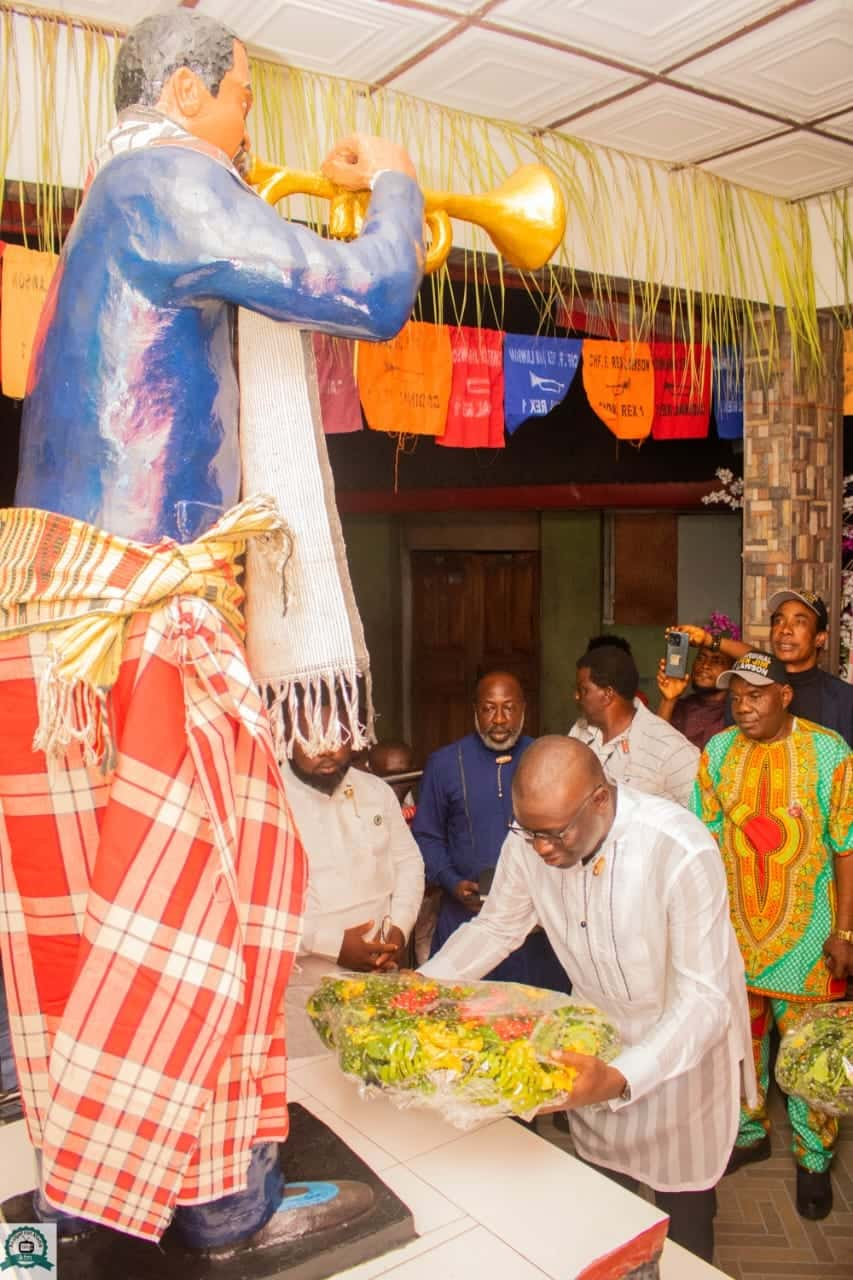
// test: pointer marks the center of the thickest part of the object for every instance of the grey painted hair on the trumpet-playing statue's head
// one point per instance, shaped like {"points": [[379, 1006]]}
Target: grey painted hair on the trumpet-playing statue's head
{"points": [[159, 45]]}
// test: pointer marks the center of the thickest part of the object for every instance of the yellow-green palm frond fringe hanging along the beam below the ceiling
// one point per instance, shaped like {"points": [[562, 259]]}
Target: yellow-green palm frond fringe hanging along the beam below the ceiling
{"points": [[653, 239]]}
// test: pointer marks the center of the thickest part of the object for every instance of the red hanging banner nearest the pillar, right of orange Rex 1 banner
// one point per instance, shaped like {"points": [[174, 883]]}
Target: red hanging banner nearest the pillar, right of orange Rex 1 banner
{"points": [[682, 391]]}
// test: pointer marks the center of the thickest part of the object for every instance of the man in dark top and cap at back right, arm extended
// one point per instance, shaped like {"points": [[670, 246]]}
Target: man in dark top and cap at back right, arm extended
{"points": [[799, 627]]}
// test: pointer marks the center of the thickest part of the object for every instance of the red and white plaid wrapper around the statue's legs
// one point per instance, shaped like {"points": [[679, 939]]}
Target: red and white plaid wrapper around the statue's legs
{"points": [[149, 918]]}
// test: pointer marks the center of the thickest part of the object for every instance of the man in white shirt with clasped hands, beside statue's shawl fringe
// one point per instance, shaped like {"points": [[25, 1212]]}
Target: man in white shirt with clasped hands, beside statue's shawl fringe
{"points": [[366, 877]]}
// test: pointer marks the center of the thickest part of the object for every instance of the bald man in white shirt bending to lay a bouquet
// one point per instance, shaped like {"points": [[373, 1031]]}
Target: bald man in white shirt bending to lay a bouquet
{"points": [[632, 894]]}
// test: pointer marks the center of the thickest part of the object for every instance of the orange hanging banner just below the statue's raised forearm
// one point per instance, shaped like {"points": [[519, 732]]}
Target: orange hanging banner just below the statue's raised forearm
{"points": [[405, 385]]}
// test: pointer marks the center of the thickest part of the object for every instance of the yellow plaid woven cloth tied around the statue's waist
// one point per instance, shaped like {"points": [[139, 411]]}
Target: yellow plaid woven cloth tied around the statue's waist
{"points": [[83, 586]]}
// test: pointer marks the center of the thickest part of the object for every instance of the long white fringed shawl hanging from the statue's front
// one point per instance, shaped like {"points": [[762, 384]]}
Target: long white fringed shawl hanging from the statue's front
{"points": [[305, 638]]}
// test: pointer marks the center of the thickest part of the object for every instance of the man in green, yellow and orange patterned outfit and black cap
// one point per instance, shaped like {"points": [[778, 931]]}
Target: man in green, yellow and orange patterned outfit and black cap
{"points": [[777, 792]]}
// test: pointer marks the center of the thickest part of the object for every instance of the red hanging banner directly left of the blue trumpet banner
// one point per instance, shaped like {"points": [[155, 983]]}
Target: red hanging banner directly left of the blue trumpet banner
{"points": [[476, 413]]}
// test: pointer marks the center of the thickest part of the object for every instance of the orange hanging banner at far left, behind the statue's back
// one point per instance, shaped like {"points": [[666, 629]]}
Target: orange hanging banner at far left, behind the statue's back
{"points": [[26, 281]]}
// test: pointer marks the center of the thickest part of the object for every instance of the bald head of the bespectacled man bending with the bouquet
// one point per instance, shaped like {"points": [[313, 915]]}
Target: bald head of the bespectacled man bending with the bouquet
{"points": [[560, 793]]}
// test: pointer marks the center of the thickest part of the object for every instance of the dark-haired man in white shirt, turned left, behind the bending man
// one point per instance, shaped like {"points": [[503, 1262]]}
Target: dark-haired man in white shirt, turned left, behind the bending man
{"points": [[632, 744]]}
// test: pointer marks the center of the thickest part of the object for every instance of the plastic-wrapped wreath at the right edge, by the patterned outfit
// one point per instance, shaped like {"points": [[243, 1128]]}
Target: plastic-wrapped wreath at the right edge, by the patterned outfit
{"points": [[815, 1060]]}
